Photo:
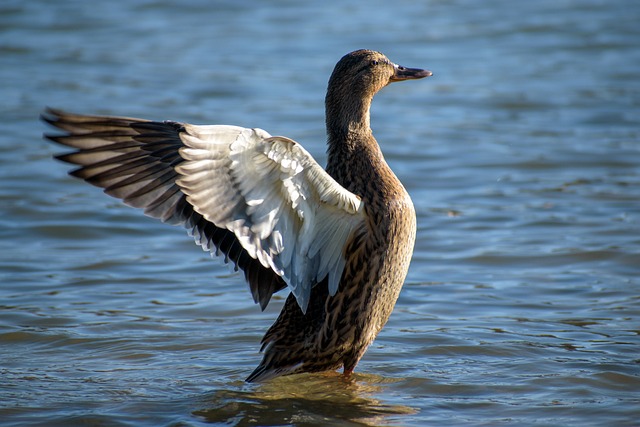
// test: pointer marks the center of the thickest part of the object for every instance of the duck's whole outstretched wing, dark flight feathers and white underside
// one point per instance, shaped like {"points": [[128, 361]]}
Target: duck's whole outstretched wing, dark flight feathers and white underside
{"points": [[262, 201]]}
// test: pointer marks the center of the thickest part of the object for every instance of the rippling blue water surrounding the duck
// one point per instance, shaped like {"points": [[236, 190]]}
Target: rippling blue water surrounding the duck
{"points": [[522, 156]]}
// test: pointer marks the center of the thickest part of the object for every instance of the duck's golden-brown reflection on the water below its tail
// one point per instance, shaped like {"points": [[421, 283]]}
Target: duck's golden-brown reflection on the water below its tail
{"points": [[307, 399]]}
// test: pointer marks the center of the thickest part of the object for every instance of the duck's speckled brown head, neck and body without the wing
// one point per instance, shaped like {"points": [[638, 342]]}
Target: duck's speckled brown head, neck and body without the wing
{"points": [[336, 330]]}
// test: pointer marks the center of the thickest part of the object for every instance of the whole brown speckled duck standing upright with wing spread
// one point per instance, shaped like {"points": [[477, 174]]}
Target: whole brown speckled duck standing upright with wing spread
{"points": [[340, 240]]}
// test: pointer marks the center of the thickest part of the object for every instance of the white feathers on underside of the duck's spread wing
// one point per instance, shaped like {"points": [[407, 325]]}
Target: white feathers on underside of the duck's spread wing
{"points": [[285, 210]]}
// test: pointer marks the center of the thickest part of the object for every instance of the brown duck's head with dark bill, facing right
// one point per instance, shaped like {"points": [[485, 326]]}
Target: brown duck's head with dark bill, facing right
{"points": [[365, 72]]}
